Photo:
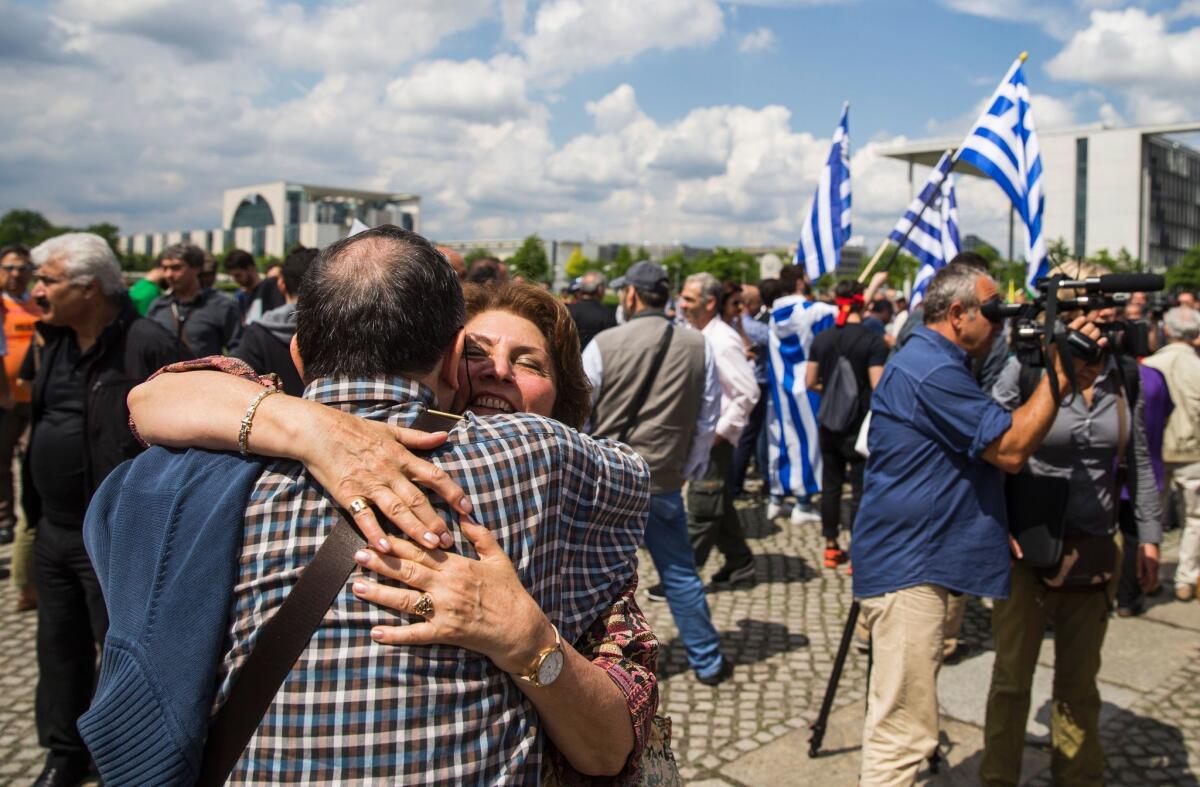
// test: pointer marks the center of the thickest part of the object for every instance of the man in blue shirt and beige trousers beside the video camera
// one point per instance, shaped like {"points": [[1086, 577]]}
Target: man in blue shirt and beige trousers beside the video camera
{"points": [[933, 519]]}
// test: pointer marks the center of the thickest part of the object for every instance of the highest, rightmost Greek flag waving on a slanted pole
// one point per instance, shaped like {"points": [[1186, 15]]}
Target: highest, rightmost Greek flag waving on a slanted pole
{"points": [[1005, 146]]}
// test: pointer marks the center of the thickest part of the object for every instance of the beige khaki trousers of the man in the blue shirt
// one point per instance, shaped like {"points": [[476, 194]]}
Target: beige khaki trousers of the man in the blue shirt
{"points": [[908, 629]]}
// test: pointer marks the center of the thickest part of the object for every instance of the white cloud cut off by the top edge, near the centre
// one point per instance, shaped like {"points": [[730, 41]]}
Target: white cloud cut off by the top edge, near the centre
{"points": [[572, 37]]}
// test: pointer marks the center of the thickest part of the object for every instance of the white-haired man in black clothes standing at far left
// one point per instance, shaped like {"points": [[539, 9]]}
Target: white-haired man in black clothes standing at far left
{"points": [[97, 350]]}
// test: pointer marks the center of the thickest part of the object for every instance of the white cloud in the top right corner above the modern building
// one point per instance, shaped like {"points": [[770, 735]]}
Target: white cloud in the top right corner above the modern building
{"points": [[1133, 52]]}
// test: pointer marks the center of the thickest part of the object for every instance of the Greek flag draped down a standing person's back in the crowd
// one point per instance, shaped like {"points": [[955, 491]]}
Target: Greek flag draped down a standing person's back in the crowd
{"points": [[795, 450]]}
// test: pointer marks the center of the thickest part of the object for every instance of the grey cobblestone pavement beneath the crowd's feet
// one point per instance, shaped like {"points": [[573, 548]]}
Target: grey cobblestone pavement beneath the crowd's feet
{"points": [[782, 632]]}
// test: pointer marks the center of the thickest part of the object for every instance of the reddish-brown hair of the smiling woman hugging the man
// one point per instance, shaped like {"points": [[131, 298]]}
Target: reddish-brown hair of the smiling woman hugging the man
{"points": [[573, 402]]}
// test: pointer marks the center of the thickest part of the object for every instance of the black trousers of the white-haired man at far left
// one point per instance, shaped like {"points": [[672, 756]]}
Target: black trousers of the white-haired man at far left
{"points": [[71, 626]]}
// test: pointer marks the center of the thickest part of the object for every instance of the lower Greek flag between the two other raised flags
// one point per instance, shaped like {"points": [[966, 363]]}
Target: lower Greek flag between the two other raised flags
{"points": [[933, 238]]}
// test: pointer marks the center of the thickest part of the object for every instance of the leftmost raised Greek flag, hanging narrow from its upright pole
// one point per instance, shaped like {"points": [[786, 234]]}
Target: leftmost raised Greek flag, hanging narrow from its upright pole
{"points": [[829, 226]]}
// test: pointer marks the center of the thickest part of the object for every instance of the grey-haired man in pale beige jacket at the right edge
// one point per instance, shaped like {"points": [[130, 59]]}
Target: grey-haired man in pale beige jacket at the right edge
{"points": [[1181, 441]]}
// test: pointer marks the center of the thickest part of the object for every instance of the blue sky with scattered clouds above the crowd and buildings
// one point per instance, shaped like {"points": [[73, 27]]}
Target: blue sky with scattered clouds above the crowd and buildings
{"points": [[701, 122]]}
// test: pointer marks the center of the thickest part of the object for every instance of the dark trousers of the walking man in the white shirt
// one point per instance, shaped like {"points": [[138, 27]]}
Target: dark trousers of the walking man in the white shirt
{"points": [[712, 519]]}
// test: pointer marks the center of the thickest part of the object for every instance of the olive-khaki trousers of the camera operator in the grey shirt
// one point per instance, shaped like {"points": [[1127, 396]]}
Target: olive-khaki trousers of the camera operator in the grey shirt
{"points": [[1081, 621]]}
